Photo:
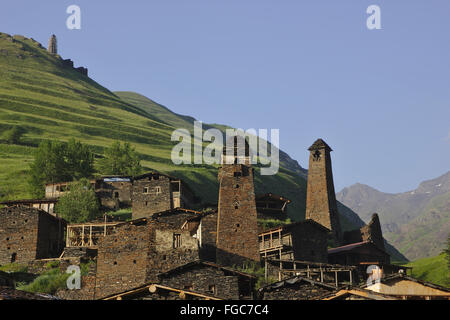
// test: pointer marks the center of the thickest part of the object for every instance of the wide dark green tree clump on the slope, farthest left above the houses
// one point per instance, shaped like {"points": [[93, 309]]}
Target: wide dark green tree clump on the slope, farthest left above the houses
{"points": [[56, 161]]}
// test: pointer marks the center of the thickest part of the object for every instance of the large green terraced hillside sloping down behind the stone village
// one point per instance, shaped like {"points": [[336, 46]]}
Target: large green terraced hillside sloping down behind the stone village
{"points": [[48, 100]]}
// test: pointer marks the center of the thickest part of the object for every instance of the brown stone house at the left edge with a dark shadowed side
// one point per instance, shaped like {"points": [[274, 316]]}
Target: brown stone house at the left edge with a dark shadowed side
{"points": [[27, 234]]}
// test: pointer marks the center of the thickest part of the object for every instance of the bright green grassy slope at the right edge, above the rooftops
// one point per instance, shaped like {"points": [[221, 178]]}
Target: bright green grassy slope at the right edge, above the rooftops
{"points": [[432, 269]]}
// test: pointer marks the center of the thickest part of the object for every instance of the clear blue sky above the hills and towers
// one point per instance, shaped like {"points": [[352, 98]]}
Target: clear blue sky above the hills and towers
{"points": [[380, 98]]}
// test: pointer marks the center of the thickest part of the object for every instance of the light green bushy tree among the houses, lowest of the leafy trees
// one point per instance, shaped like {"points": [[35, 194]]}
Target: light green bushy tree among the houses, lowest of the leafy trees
{"points": [[80, 204]]}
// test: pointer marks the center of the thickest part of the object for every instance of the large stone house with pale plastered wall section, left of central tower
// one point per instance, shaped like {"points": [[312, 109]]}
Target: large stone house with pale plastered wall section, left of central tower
{"points": [[135, 252]]}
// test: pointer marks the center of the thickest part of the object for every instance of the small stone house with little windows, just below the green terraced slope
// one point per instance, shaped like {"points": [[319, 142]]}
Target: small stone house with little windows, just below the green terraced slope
{"points": [[156, 192]]}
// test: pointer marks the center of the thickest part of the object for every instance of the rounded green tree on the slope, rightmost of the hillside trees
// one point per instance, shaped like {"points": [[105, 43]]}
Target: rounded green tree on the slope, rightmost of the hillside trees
{"points": [[121, 160]]}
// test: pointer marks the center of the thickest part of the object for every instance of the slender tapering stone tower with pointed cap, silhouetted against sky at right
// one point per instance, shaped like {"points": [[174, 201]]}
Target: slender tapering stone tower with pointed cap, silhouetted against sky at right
{"points": [[320, 197]]}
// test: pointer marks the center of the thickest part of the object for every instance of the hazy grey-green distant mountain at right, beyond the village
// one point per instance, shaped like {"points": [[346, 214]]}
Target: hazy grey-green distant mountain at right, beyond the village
{"points": [[416, 222]]}
